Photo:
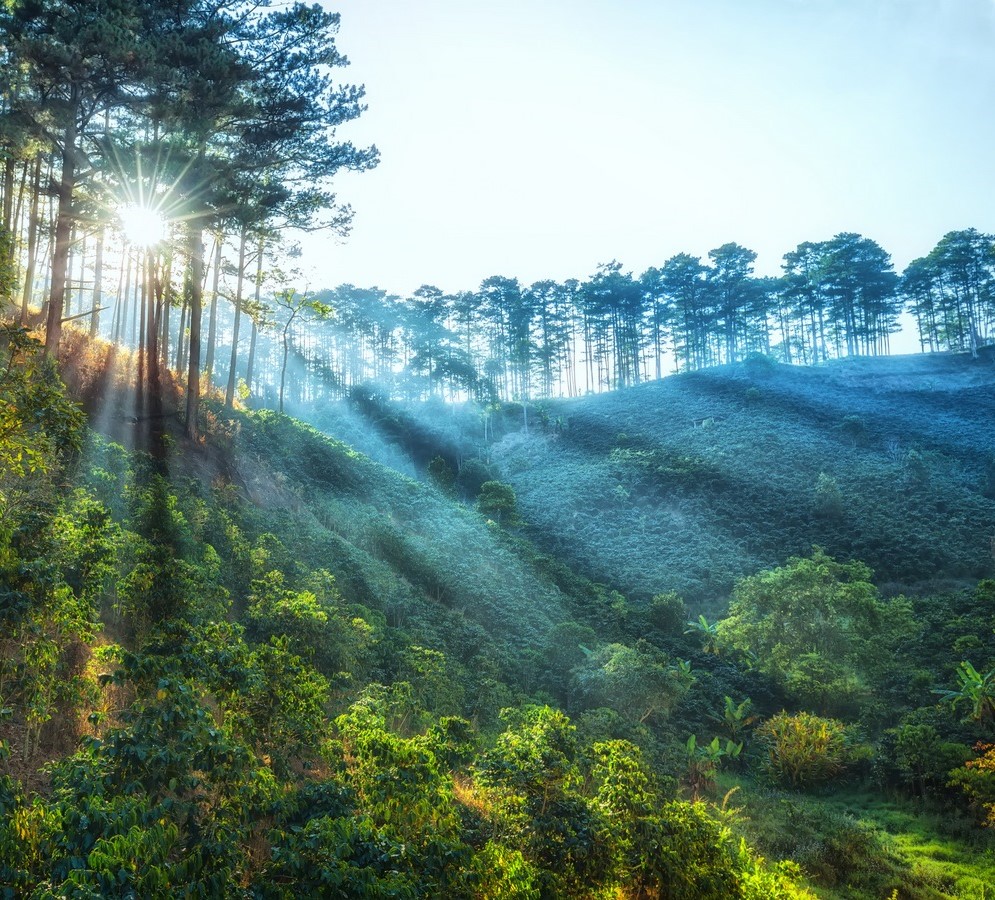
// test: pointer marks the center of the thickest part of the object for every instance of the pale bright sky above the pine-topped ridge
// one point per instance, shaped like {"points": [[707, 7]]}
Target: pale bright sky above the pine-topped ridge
{"points": [[539, 138]]}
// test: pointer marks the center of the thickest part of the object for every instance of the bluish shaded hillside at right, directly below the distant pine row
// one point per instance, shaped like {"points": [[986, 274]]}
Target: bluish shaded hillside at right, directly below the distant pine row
{"points": [[689, 483]]}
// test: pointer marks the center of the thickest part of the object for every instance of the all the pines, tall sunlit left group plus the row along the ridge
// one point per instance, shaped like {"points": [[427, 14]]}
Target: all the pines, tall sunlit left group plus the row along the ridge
{"points": [[86, 134]]}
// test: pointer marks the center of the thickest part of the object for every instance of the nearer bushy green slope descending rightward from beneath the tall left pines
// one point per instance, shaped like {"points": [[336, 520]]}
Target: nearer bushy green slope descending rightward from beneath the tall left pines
{"points": [[215, 697]]}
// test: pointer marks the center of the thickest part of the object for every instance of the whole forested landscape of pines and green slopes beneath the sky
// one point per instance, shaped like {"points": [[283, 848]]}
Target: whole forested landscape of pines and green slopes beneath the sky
{"points": [[676, 585]]}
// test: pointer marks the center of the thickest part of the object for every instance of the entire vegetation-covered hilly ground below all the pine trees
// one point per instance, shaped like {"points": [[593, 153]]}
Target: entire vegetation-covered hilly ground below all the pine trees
{"points": [[270, 664]]}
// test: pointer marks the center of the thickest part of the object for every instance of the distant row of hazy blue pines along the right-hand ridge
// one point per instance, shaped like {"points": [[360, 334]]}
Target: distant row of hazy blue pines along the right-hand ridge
{"points": [[509, 341]]}
